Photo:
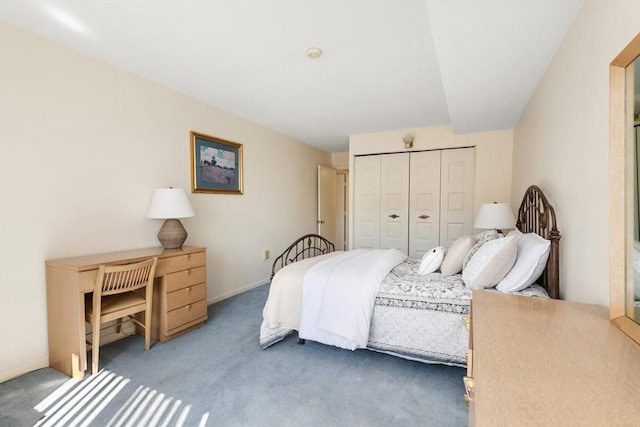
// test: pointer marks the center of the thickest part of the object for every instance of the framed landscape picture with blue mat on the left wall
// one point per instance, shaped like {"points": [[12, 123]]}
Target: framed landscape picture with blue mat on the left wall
{"points": [[216, 165]]}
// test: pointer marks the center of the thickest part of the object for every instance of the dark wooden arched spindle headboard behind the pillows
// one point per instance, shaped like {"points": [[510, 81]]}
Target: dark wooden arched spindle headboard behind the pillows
{"points": [[536, 215]]}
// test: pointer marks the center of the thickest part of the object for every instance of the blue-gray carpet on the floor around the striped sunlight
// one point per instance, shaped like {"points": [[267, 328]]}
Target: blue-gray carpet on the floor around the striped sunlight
{"points": [[220, 369]]}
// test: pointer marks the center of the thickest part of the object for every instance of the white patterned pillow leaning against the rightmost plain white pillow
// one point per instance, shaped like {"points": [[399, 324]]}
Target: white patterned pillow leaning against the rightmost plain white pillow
{"points": [[490, 263]]}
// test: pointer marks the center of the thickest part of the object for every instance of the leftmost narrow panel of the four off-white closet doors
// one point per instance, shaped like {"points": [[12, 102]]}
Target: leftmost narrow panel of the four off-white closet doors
{"points": [[366, 199]]}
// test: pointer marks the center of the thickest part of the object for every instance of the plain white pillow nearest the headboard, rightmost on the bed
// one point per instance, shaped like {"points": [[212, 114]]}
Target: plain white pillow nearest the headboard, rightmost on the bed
{"points": [[533, 253]]}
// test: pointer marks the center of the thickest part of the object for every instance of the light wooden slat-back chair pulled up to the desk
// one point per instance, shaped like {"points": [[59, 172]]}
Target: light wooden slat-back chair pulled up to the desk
{"points": [[120, 291]]}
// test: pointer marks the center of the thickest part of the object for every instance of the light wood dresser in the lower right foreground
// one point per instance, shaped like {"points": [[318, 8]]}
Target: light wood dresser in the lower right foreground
{"points": [[537, 362]]}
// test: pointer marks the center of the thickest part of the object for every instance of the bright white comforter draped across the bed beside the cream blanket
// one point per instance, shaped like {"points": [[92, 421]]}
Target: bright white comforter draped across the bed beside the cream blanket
{"points": [[339, 293]]}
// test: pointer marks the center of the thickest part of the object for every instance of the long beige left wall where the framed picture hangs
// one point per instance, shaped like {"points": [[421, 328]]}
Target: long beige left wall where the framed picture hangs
{"points": [[82, 146]]}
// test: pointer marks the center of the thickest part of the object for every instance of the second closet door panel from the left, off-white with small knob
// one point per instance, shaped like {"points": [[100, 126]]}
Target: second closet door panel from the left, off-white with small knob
{"points": [[394, 201]]}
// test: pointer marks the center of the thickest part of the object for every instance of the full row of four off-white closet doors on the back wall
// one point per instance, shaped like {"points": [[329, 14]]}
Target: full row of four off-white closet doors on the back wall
{"points": [[413, 201]]}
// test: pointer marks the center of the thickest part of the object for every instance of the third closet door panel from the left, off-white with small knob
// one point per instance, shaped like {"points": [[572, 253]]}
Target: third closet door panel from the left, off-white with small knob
{"points": [[424, 203]]}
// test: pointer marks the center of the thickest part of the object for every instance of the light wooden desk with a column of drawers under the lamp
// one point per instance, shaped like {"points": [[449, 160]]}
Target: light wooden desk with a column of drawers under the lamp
{"points": [[179, 301]]}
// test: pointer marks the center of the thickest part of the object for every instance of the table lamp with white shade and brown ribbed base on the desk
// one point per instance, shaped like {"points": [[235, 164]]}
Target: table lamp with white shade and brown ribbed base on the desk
{"points": [[170, 204]]}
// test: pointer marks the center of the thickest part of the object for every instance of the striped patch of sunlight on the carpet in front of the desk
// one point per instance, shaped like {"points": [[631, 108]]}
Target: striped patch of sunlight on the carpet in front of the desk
{"points": [[80, 402]]}
